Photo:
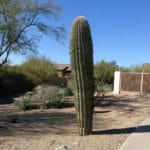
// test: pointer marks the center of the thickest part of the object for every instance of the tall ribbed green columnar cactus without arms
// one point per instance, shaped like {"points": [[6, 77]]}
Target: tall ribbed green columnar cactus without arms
{"points": [[81, 50]]}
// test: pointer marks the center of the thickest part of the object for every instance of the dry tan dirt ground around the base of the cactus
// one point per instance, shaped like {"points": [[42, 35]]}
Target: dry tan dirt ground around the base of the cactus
{"points": [[114, 120]]}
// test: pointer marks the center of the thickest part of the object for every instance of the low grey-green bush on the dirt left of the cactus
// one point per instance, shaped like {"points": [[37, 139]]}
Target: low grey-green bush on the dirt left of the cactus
{"points": [[44, 97]]}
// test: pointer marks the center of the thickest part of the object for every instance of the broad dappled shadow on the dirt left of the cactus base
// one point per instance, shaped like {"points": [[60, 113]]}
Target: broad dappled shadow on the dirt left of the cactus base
{"points": [[38, 123]]}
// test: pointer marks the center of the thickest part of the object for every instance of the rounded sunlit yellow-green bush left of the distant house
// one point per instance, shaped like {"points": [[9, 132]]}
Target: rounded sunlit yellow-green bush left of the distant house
{"points": [[39, 70]]}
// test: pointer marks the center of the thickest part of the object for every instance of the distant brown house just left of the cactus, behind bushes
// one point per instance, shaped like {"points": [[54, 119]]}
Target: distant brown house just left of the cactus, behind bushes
{"points": [[63, 70]]}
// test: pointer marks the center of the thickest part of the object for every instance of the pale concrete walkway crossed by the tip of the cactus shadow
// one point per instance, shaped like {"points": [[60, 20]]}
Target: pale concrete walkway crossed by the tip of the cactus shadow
{"points": [[140, 139]]}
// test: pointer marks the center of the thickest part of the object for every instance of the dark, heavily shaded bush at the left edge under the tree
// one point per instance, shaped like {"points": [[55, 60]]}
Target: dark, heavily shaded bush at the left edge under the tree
{"points": [[13, 82]]}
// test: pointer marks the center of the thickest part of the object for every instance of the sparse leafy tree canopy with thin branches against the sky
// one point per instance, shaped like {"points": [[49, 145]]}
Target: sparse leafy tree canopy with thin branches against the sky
{"points": [[20, 20]]}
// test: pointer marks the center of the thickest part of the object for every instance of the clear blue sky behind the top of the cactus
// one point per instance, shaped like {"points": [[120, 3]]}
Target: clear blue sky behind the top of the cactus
{"points": [[120, 31]]}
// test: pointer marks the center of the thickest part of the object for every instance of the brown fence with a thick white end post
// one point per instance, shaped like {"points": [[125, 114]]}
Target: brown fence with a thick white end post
{"points": [[134, 82]]}
